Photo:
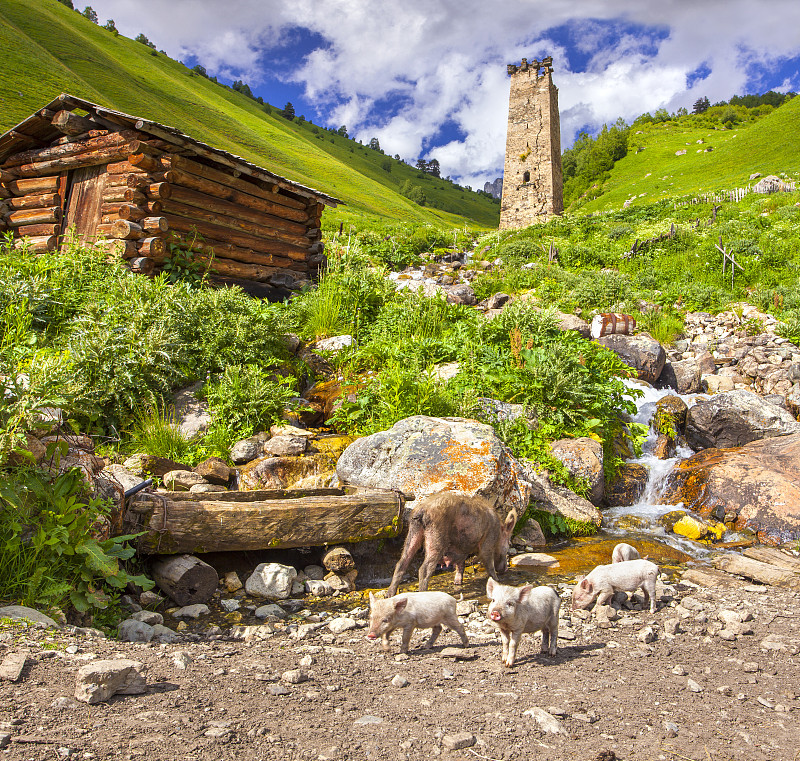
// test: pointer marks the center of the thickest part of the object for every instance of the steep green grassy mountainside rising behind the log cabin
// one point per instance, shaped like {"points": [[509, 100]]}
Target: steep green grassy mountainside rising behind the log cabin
{"points": [[48, 49]]}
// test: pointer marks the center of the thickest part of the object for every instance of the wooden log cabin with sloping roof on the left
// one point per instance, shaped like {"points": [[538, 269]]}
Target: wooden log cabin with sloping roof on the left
{"points": [[135, 186]]}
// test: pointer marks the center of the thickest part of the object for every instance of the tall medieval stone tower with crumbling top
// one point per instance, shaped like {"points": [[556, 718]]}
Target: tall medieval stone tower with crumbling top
{"points": [[532, 180]]}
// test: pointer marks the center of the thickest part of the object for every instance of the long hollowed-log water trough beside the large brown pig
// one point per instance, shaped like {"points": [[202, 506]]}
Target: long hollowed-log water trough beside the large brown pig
{"points": [[177, 522]]}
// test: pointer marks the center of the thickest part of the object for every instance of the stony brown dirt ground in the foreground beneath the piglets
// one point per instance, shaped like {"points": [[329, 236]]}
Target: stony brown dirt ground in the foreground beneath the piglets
{"points": [[693, 695]]}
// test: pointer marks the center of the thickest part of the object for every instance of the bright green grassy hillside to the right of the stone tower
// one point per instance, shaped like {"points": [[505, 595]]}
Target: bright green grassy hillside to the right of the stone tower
{"points": [[769, 146]]}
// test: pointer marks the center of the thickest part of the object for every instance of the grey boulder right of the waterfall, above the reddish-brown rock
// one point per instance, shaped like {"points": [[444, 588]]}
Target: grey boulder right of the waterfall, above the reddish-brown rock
{"points": [[736, 418]]}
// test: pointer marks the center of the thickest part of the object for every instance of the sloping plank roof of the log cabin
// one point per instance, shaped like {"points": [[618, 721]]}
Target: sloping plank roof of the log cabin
{"points": [[37, 129]]}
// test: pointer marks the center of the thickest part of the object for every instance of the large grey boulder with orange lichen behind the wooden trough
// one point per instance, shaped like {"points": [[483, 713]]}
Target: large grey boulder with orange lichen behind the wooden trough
{"points": [[422, 455]]}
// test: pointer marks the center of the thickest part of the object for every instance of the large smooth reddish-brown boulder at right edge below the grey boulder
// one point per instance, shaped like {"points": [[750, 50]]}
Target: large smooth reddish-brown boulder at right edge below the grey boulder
{"points": [[756, 486]]}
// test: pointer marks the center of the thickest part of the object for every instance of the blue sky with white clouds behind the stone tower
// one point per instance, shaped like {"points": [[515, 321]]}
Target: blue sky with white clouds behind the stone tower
{"points": [[428, 77]]}
